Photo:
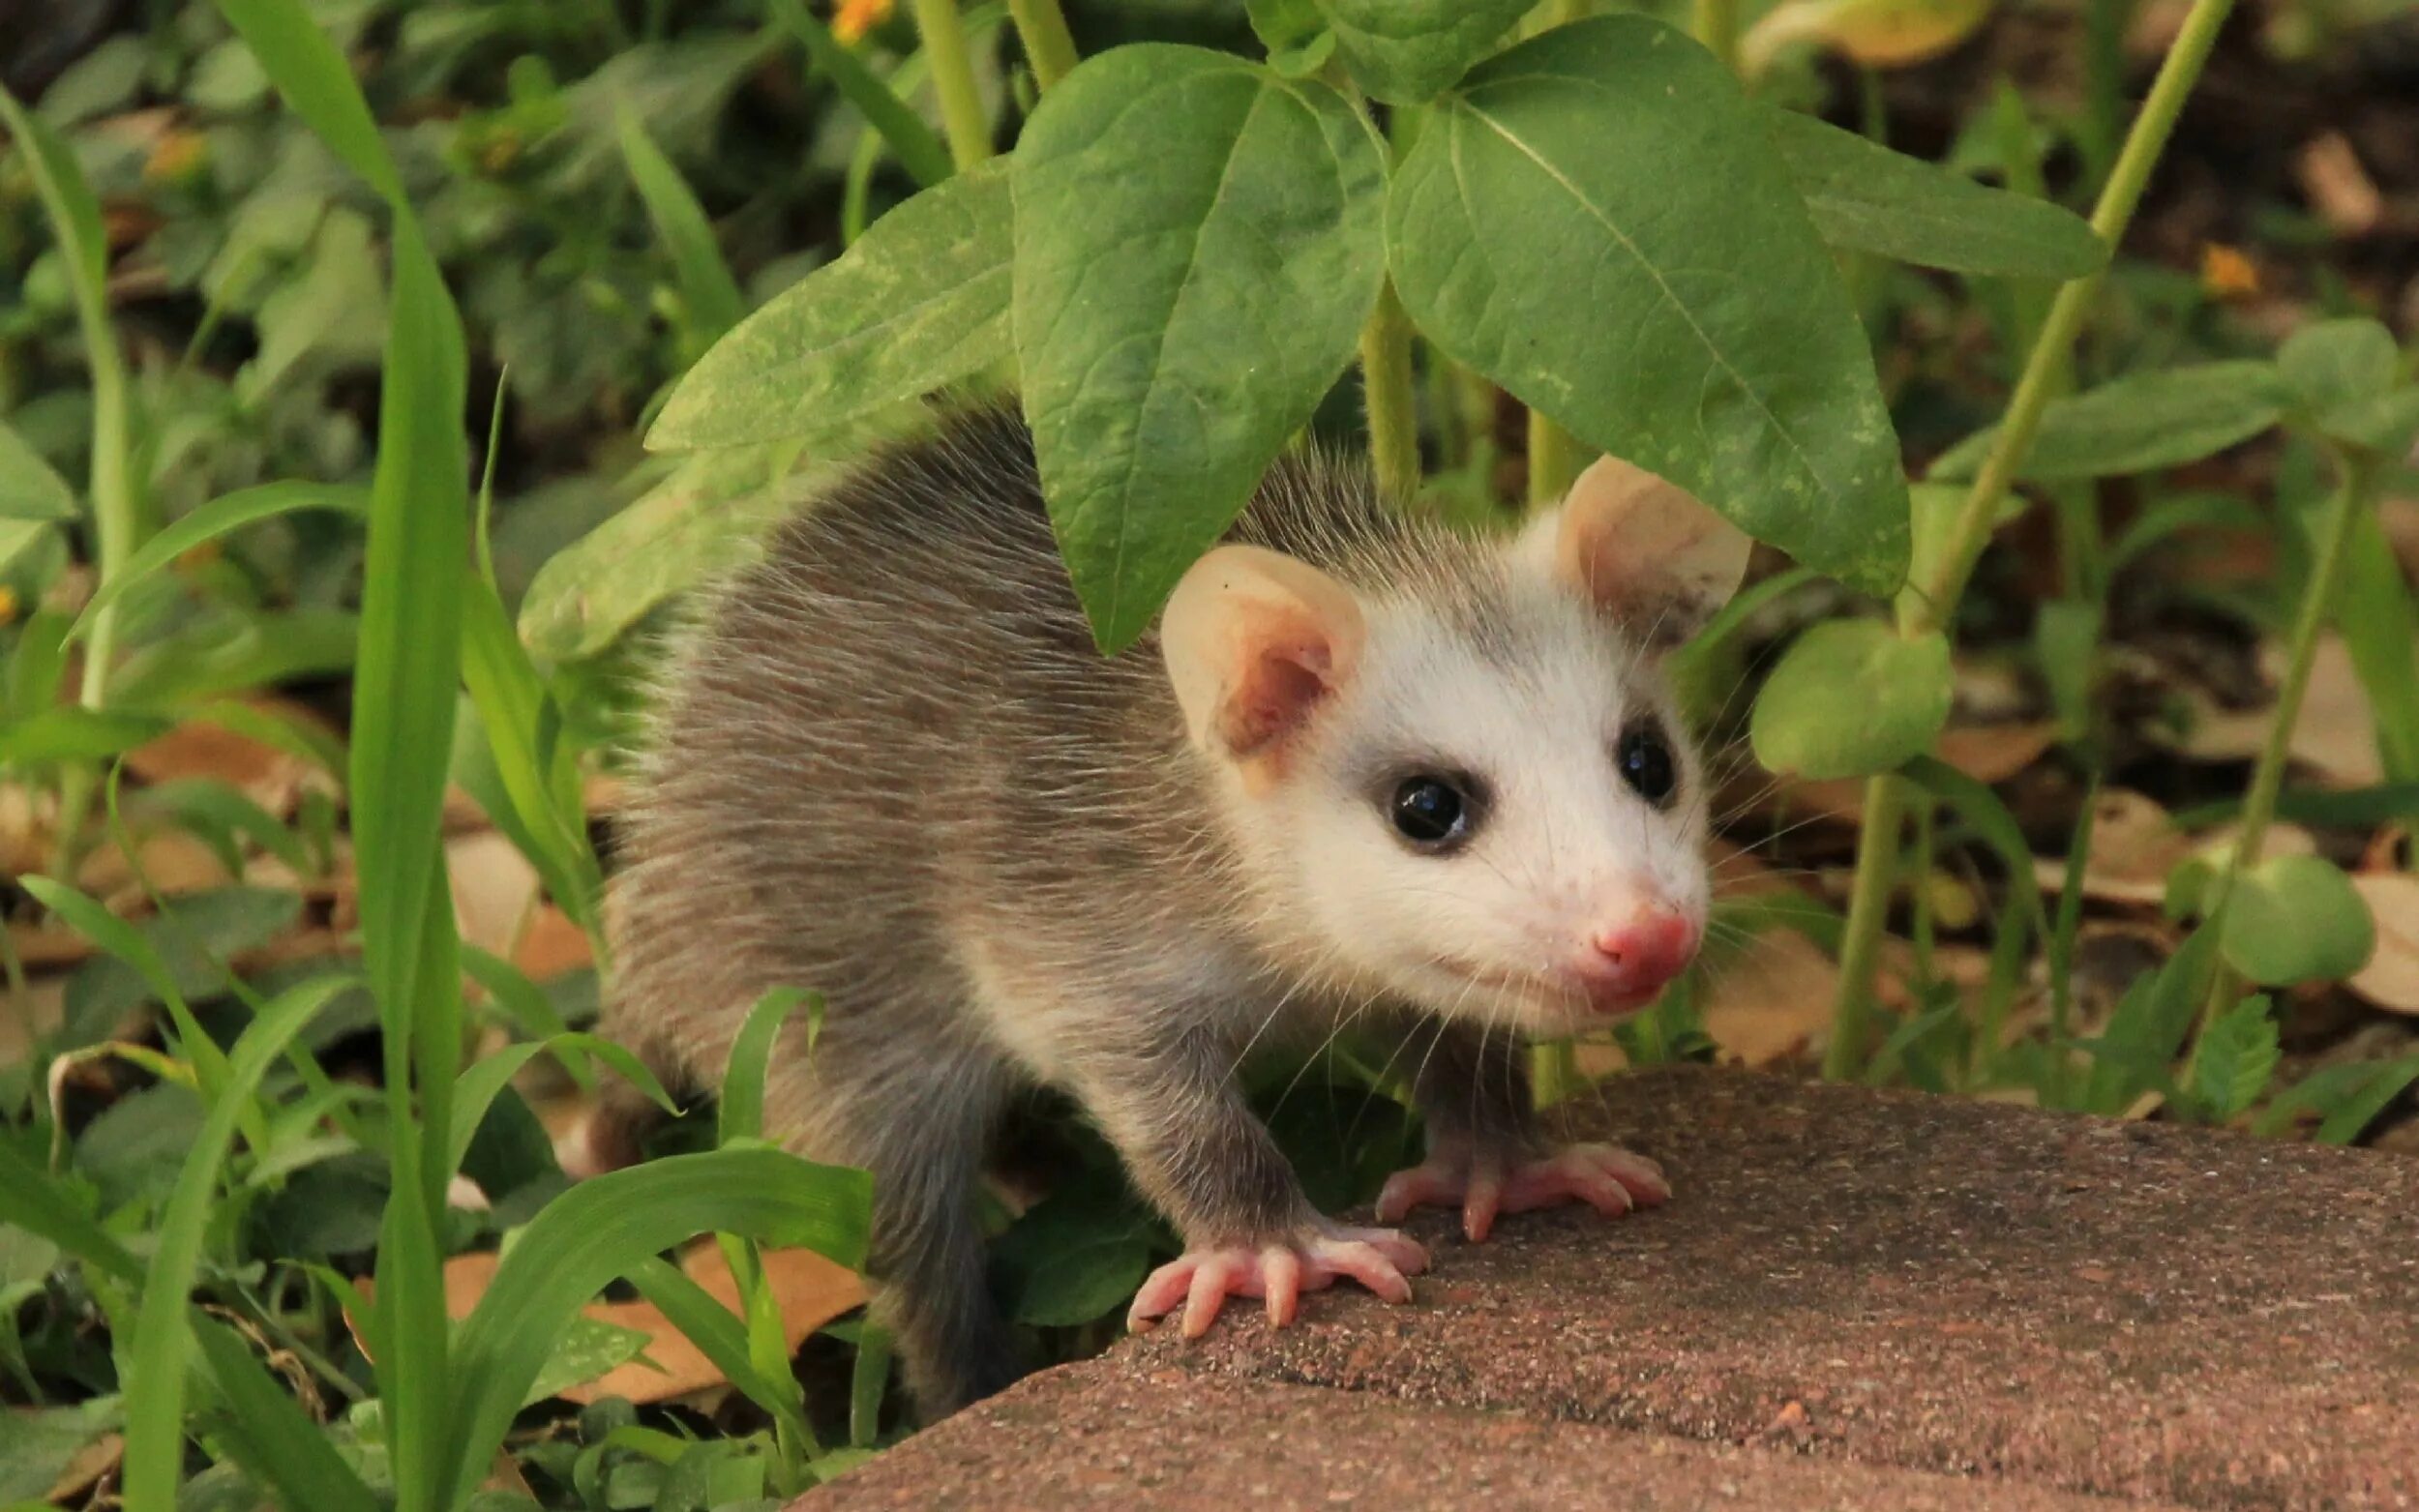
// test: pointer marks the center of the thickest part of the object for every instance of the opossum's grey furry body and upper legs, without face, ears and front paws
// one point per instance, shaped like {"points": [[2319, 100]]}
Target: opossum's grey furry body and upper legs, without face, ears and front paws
{"points": [[891, 768]]}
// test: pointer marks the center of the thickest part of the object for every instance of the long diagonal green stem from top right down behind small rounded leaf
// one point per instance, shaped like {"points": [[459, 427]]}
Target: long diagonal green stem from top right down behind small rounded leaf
{"points": [[1929, 606]]}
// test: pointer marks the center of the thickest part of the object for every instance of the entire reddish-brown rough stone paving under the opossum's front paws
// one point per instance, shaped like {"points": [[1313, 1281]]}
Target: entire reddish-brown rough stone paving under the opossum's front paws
{"points": [[1917, 1286]]}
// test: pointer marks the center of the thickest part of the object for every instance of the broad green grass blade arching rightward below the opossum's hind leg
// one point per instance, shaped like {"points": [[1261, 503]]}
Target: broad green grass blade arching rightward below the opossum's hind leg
{"points": [[608, 1228]]}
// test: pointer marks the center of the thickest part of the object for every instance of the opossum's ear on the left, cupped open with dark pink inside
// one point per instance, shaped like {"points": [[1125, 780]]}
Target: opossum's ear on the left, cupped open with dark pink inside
{"points": [[1254, 642]]}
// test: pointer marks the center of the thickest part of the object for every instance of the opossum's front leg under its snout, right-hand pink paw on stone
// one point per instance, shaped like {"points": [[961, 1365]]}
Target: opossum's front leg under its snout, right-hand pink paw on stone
{"points": [[1486, 1155]]}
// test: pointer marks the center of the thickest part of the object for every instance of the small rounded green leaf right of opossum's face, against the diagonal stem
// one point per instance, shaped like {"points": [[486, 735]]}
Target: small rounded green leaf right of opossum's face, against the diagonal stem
{"points": [[1852, 698]]}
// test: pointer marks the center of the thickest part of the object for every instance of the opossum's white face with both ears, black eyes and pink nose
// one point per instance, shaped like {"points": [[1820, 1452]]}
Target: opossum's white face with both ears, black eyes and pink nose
{"points": [[1482, 807]]}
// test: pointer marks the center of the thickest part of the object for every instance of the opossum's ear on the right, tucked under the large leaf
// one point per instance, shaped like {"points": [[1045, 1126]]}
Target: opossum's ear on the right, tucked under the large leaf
{"points": [[1644, 550]]}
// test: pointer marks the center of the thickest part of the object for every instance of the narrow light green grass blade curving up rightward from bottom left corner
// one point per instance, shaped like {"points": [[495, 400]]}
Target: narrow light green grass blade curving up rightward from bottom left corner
{"points": [[156, 1373]]}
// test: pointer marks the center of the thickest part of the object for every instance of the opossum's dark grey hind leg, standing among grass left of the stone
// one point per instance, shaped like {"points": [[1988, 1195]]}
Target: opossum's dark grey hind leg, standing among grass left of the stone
{"points": [[918, 1116]]}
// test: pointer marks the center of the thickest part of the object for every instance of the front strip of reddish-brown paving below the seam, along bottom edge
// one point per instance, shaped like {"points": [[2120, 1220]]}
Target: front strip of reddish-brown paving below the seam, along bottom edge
{"points": [[1128, 1436]]}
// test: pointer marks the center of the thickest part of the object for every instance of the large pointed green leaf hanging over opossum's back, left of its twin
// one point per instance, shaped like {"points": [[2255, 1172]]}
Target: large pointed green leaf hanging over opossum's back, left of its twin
{"points": [[1196, 248]]}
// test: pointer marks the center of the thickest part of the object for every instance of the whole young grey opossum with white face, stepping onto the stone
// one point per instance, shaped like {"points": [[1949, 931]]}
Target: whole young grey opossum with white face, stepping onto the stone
{"points": [[1370, 771]]}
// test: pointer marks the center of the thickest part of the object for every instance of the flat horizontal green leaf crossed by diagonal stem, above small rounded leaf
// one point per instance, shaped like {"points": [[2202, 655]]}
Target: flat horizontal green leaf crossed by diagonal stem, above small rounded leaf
{"points": [[2137, 425]]}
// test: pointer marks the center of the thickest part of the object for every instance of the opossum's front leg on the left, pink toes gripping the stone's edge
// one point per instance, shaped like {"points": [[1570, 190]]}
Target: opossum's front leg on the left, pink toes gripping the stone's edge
{"points": [[1201, 1155]]}
